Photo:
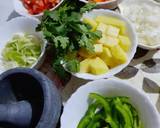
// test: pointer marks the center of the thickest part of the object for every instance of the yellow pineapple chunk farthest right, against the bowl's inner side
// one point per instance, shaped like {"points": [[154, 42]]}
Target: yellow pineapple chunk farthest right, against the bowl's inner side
{"points": [[125, 43]]}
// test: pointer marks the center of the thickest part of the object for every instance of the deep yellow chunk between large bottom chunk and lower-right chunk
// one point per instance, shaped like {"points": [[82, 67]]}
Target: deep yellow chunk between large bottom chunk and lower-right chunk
{"points": [[107, 57]]}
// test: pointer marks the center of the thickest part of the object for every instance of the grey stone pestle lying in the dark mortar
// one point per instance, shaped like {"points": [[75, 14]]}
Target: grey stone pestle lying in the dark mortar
{"points": [[16, 113]]}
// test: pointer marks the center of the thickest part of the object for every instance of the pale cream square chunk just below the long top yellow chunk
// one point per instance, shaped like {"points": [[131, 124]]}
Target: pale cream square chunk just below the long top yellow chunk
{"points": [[113, 31]]}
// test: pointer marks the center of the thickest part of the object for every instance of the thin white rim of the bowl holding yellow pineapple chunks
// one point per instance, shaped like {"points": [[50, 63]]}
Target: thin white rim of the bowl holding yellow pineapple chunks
{"points": [[135, 40]]}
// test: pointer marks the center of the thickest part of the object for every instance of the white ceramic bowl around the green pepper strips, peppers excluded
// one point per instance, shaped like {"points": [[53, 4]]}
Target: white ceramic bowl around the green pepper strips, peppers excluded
{"points": [[77, 105]]}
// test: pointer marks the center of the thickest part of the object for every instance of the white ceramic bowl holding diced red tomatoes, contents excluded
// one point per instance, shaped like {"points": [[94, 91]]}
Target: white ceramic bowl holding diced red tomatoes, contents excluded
{"points": [[20, 9]]}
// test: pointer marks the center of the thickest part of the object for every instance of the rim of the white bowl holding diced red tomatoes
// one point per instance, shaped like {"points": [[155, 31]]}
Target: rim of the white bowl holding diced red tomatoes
{"points": [[30, 15]]}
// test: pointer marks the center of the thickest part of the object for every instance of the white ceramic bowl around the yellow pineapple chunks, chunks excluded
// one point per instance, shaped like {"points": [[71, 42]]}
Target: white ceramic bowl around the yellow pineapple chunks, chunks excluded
{"points": [[131, 34]]}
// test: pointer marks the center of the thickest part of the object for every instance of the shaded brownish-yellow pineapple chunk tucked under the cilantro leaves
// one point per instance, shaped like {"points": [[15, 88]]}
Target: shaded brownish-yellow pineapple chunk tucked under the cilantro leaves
{"points": [[86, 54]]}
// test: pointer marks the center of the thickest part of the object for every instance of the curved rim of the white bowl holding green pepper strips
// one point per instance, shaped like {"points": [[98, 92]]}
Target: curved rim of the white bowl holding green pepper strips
{"points": [[116, 80]]}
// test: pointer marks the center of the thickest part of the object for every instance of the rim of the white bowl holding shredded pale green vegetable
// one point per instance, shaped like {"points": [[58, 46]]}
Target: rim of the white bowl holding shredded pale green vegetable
{"points": [[43, 40]]}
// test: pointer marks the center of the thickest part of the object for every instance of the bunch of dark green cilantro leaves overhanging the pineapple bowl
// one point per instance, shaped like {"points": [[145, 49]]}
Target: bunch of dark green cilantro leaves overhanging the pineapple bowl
{"points": [[64, 29]]}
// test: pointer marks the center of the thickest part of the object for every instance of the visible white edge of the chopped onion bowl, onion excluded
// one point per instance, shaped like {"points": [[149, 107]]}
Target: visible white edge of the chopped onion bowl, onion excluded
{"points": [[152, 3]]}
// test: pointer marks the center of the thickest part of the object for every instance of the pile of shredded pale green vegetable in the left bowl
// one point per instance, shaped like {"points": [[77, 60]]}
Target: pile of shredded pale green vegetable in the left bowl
{"points": [[23, 50]]}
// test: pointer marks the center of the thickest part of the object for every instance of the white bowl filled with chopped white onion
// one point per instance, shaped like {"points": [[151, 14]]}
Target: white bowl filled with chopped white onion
{"points": [[145, 20]]}
